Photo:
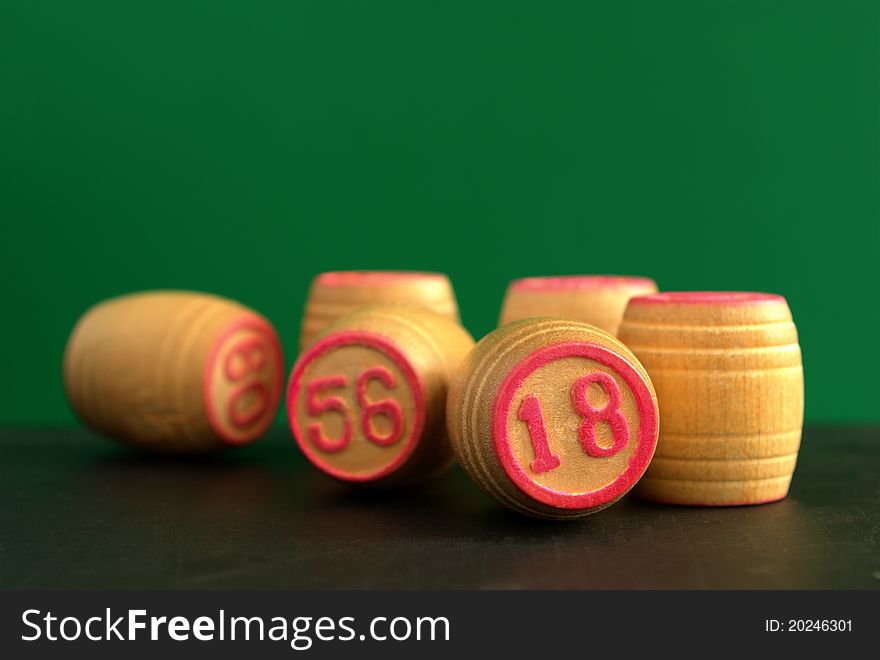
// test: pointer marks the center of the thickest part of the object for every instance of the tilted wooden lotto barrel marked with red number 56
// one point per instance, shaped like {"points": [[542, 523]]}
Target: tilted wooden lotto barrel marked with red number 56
{"points": [[366, 400]]}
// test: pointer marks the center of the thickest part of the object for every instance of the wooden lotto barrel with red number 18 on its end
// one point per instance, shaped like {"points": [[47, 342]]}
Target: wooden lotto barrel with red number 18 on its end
{"points": [[553, 418]]}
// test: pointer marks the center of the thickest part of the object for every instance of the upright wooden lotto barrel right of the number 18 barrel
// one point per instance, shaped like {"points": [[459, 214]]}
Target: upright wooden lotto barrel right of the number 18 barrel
{"points": [[727, 368]]}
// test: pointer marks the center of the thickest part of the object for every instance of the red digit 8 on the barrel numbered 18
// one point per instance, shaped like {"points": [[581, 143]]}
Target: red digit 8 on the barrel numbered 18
{"points": [[611, 413]]}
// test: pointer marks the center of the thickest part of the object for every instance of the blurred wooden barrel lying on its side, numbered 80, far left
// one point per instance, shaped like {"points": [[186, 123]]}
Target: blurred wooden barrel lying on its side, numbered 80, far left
{"points": [[174, 371]]}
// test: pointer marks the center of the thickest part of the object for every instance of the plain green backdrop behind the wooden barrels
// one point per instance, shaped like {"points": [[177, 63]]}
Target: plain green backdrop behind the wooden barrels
{"points": [[241, 147]]}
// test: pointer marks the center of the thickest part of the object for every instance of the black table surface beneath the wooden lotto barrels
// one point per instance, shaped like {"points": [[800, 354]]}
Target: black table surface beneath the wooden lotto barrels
{"points": [[81, 512]]}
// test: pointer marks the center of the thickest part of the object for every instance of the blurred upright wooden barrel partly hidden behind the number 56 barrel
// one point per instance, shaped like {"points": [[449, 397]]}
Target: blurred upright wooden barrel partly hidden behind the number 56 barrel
{"points": [[333, 295]]}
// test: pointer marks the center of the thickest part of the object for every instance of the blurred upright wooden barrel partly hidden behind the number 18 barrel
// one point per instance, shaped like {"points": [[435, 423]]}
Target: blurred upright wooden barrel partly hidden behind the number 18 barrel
{"points": [[595, 299]]}
